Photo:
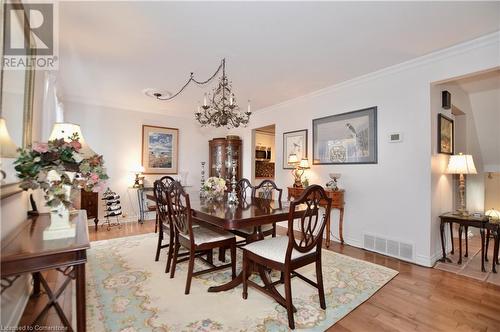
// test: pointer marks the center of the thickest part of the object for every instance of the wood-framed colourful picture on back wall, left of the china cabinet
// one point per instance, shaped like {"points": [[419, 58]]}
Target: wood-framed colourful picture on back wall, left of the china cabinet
{"points": [[160, 150]]}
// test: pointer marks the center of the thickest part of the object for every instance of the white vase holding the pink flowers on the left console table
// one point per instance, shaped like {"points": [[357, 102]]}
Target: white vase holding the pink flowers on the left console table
{"points": [[60, 226]]}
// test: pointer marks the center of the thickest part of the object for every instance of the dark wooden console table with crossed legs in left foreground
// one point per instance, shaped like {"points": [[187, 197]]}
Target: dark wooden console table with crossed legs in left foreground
{"points": [[25, 251]]}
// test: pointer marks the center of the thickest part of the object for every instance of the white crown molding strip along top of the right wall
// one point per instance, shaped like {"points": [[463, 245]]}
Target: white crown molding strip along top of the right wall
{"points": [[483, 41]]}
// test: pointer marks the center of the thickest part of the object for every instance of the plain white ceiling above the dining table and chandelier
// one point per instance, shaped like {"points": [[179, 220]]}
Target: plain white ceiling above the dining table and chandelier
{"points": [[275, 51]]}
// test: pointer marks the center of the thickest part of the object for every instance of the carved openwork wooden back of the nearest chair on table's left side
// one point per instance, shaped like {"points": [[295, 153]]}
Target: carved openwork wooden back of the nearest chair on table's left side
{"points": [[179, 210]]}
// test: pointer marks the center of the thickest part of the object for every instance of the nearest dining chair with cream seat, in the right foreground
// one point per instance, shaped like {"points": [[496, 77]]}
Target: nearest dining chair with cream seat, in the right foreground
{"points": [[291, 252]]}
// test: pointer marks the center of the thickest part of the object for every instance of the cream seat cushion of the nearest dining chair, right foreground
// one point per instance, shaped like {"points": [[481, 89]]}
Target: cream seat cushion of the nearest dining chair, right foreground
{"points": [[274, 249]]}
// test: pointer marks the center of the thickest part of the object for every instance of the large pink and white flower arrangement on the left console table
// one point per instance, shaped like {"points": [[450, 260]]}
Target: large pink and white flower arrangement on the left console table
{"points": [[57, 167]]}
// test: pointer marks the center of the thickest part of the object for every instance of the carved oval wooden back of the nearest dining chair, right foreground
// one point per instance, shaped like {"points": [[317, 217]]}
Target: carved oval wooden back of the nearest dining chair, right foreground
{"points": [[310, 224]]}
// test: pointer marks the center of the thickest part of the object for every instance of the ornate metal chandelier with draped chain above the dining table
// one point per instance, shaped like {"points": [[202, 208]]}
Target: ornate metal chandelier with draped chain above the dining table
{"points": [[219, 109]]}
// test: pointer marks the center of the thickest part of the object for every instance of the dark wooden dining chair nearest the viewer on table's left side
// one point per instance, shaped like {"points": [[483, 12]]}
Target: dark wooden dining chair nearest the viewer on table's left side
{"points": [[197, 240]]}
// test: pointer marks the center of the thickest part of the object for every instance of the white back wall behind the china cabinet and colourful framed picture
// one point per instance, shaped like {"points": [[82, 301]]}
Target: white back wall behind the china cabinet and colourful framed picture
{"points": [[117, 135]]}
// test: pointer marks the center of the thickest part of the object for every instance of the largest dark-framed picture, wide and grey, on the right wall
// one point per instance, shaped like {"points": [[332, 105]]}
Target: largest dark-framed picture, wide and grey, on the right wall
{"points": [[348, 138]]}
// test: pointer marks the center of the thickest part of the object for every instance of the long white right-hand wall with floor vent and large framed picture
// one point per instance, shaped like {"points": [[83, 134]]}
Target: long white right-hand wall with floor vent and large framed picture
{"points": [[391, 198]]}
